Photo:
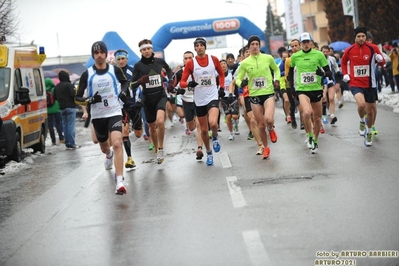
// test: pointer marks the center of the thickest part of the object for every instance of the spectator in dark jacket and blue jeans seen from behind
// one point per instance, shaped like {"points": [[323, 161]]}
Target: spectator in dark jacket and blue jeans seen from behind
{"points": [[65, 94]]}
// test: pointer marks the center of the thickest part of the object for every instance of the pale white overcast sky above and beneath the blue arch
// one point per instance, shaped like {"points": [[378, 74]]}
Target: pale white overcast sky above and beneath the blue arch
{"points": [[69, 27]]}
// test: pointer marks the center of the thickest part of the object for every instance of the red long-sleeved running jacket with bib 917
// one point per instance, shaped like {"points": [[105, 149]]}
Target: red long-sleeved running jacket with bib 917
{"points": [[358, 61]]}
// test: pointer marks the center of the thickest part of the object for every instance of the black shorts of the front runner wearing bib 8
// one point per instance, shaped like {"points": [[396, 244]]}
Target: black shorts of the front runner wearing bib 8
{"points": [[102, 126]]}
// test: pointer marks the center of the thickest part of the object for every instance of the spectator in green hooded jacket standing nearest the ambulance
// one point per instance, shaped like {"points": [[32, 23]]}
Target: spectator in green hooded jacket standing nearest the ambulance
{"points": [[54, 115]]}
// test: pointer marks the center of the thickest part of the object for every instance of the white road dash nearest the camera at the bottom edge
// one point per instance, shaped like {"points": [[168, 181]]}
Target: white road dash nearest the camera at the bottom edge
{"points": [[255, 248]]}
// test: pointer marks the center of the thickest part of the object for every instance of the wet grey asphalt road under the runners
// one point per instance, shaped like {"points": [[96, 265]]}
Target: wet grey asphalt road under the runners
{"points": [[241, 211]]}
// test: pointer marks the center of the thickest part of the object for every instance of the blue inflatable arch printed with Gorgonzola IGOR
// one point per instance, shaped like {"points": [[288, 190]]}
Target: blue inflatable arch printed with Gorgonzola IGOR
{"points": [[205, 28]]}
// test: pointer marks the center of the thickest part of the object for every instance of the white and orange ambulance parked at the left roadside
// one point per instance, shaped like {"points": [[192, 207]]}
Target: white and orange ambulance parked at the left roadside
{"points": [[23, 106]]}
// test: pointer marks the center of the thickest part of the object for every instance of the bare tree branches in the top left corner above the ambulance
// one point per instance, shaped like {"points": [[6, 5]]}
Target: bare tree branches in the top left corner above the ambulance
{"points": [[8, 22]]}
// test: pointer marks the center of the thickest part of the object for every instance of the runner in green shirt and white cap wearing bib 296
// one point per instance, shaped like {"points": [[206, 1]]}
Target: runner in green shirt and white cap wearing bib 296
{"points": [[310, 66]]}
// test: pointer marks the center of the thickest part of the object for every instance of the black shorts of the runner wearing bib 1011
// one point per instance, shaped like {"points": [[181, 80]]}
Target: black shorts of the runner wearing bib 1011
{"points": [[152, 102]]}
